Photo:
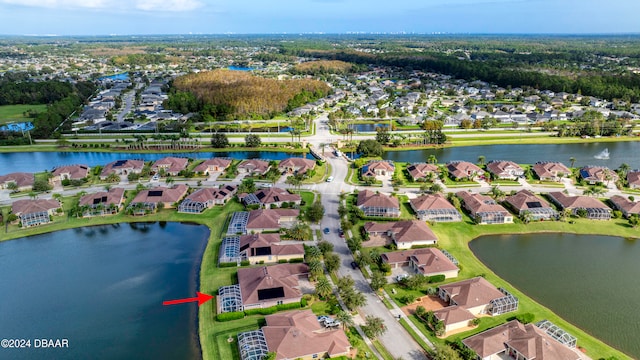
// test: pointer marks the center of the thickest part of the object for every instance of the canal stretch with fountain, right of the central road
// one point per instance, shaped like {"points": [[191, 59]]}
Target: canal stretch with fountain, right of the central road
{"points": [[621, 152]]}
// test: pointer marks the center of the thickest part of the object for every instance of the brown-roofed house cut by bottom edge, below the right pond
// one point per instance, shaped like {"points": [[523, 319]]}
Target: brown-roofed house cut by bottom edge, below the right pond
{"points": [[515, 340]]}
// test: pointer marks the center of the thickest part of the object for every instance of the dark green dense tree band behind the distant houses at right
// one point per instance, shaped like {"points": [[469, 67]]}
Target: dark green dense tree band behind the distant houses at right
{"points": [[607, 86]]}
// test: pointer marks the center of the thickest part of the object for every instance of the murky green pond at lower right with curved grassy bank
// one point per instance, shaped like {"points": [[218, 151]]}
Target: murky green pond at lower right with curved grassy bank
{"points": [[589, 280]]}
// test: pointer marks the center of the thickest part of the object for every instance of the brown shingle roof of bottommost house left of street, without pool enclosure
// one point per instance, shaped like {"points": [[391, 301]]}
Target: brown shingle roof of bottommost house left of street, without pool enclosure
{"points": [[298, 334]]}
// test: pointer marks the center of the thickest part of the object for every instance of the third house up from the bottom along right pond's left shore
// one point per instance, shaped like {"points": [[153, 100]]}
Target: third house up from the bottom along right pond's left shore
{"points": [[425, 261]]}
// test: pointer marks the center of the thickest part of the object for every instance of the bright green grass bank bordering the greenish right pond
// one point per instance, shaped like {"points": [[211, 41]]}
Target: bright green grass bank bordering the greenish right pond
{"points": [[454, 237]]}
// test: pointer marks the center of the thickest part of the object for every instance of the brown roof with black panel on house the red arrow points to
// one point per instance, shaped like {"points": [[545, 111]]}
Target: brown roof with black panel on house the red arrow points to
{"points": [[285, 276]]}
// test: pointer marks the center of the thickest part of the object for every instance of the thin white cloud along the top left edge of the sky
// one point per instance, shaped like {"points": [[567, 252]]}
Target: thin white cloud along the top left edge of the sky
{"points": [[144, 5]]}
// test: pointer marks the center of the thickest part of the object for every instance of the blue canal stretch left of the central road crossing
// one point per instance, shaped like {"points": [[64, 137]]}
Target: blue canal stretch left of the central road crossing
{"points": [[40, 161]]}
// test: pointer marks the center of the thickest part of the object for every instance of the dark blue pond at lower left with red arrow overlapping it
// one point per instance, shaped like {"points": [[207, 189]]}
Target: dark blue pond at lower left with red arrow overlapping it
{"points": [[102, 288]]}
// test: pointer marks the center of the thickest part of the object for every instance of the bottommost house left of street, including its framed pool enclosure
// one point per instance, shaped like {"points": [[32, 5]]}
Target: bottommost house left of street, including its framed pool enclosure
{"points": [[294, 335]]}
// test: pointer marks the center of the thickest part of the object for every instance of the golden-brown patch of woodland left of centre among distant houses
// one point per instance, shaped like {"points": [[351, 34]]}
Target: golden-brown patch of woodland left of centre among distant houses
{"points": [[226, 94]]}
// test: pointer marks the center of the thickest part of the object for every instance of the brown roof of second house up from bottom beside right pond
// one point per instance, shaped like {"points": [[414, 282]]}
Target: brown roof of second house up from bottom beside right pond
{"points": [[472, 292]]}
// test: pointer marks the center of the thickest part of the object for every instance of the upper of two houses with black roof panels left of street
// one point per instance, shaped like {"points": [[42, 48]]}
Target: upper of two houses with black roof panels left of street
{"points": [[268, 248]]}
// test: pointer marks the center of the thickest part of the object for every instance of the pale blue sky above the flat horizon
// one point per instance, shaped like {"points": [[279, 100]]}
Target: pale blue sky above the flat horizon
{"points": [[103, 17]]}
